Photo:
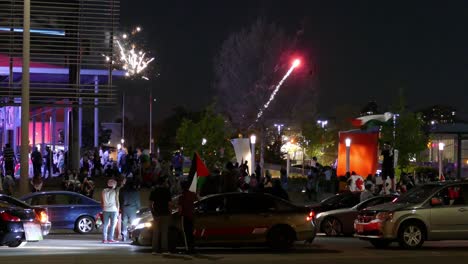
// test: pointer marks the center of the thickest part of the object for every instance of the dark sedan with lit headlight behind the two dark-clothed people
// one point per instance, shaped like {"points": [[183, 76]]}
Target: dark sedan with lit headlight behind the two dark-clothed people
{"points": [[237, 218]]}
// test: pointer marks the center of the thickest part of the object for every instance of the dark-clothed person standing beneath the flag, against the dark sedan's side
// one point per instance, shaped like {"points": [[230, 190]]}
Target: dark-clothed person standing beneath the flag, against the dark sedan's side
{"points": [[186, 211]]}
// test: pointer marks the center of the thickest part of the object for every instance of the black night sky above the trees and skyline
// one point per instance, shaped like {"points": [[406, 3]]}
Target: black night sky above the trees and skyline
{"points": [[362, 50]]}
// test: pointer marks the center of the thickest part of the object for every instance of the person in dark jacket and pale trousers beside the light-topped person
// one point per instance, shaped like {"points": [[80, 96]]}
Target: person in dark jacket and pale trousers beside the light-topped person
{"points": [[130, 203]]}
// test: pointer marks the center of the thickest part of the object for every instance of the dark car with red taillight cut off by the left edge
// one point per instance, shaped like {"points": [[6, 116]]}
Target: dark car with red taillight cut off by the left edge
{"points": [[18, 225]]}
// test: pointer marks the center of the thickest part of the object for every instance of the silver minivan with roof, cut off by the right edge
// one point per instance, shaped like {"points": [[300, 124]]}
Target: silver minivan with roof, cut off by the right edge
{"points": [[435, 211]]}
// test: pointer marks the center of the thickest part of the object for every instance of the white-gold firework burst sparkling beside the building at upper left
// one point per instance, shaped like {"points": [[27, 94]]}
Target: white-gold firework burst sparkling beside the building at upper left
{"points": [[129, 57]]}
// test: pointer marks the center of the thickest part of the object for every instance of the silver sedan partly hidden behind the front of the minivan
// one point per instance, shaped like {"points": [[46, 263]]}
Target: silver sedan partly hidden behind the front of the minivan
{"points": [[341, 221]]}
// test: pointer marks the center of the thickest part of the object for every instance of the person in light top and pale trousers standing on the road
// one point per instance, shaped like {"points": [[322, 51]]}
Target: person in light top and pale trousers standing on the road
{"points": [[110, 208]]}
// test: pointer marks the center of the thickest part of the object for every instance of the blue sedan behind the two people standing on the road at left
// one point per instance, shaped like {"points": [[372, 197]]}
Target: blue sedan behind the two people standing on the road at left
{"points": [[67, 210]]}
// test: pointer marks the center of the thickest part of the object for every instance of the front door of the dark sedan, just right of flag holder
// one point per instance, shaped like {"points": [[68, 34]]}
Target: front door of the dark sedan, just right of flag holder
{"points": [[209, 219]]}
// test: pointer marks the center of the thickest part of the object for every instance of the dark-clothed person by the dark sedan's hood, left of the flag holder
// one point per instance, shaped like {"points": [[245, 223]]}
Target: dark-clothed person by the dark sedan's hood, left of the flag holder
{"points": [[160, 208]]}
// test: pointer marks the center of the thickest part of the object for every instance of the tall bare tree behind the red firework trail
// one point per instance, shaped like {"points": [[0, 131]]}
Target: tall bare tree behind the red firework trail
{"points": [[248, 67]]}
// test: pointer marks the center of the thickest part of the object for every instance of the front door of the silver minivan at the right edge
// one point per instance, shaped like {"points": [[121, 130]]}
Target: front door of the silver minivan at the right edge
{"points": [[449, 217]]}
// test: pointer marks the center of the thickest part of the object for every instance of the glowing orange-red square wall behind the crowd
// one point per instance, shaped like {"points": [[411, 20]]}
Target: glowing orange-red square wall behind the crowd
{"points": [[363, 152]]}
